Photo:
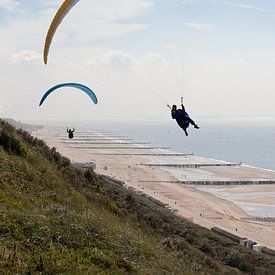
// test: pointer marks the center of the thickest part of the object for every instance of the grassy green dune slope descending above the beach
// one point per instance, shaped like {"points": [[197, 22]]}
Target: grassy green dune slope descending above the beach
{"points": [[55, 218]]}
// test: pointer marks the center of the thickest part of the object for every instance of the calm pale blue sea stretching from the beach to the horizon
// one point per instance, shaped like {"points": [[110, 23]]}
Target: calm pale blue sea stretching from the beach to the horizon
{"points": [[251, 143]]}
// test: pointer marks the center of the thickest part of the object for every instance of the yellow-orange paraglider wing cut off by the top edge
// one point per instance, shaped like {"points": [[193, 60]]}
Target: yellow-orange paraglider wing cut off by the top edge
{"points": [[61, 13]]}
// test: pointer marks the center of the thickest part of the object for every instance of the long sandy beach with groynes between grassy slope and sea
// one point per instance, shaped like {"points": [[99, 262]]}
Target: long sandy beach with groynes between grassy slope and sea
{"points": [[128, 163]]}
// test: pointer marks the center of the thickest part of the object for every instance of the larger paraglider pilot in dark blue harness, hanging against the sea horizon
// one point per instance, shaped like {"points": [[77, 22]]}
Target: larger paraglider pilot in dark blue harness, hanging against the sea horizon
{"points": [[182, 117]]}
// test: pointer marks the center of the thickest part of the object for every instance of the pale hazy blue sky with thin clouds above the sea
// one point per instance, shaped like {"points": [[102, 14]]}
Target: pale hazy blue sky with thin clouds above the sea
{"points": [[138, 56]]}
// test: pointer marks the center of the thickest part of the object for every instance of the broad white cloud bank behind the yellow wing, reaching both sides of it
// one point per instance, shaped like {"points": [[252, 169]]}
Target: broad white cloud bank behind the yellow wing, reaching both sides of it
{"points": [[87, 22]]}
